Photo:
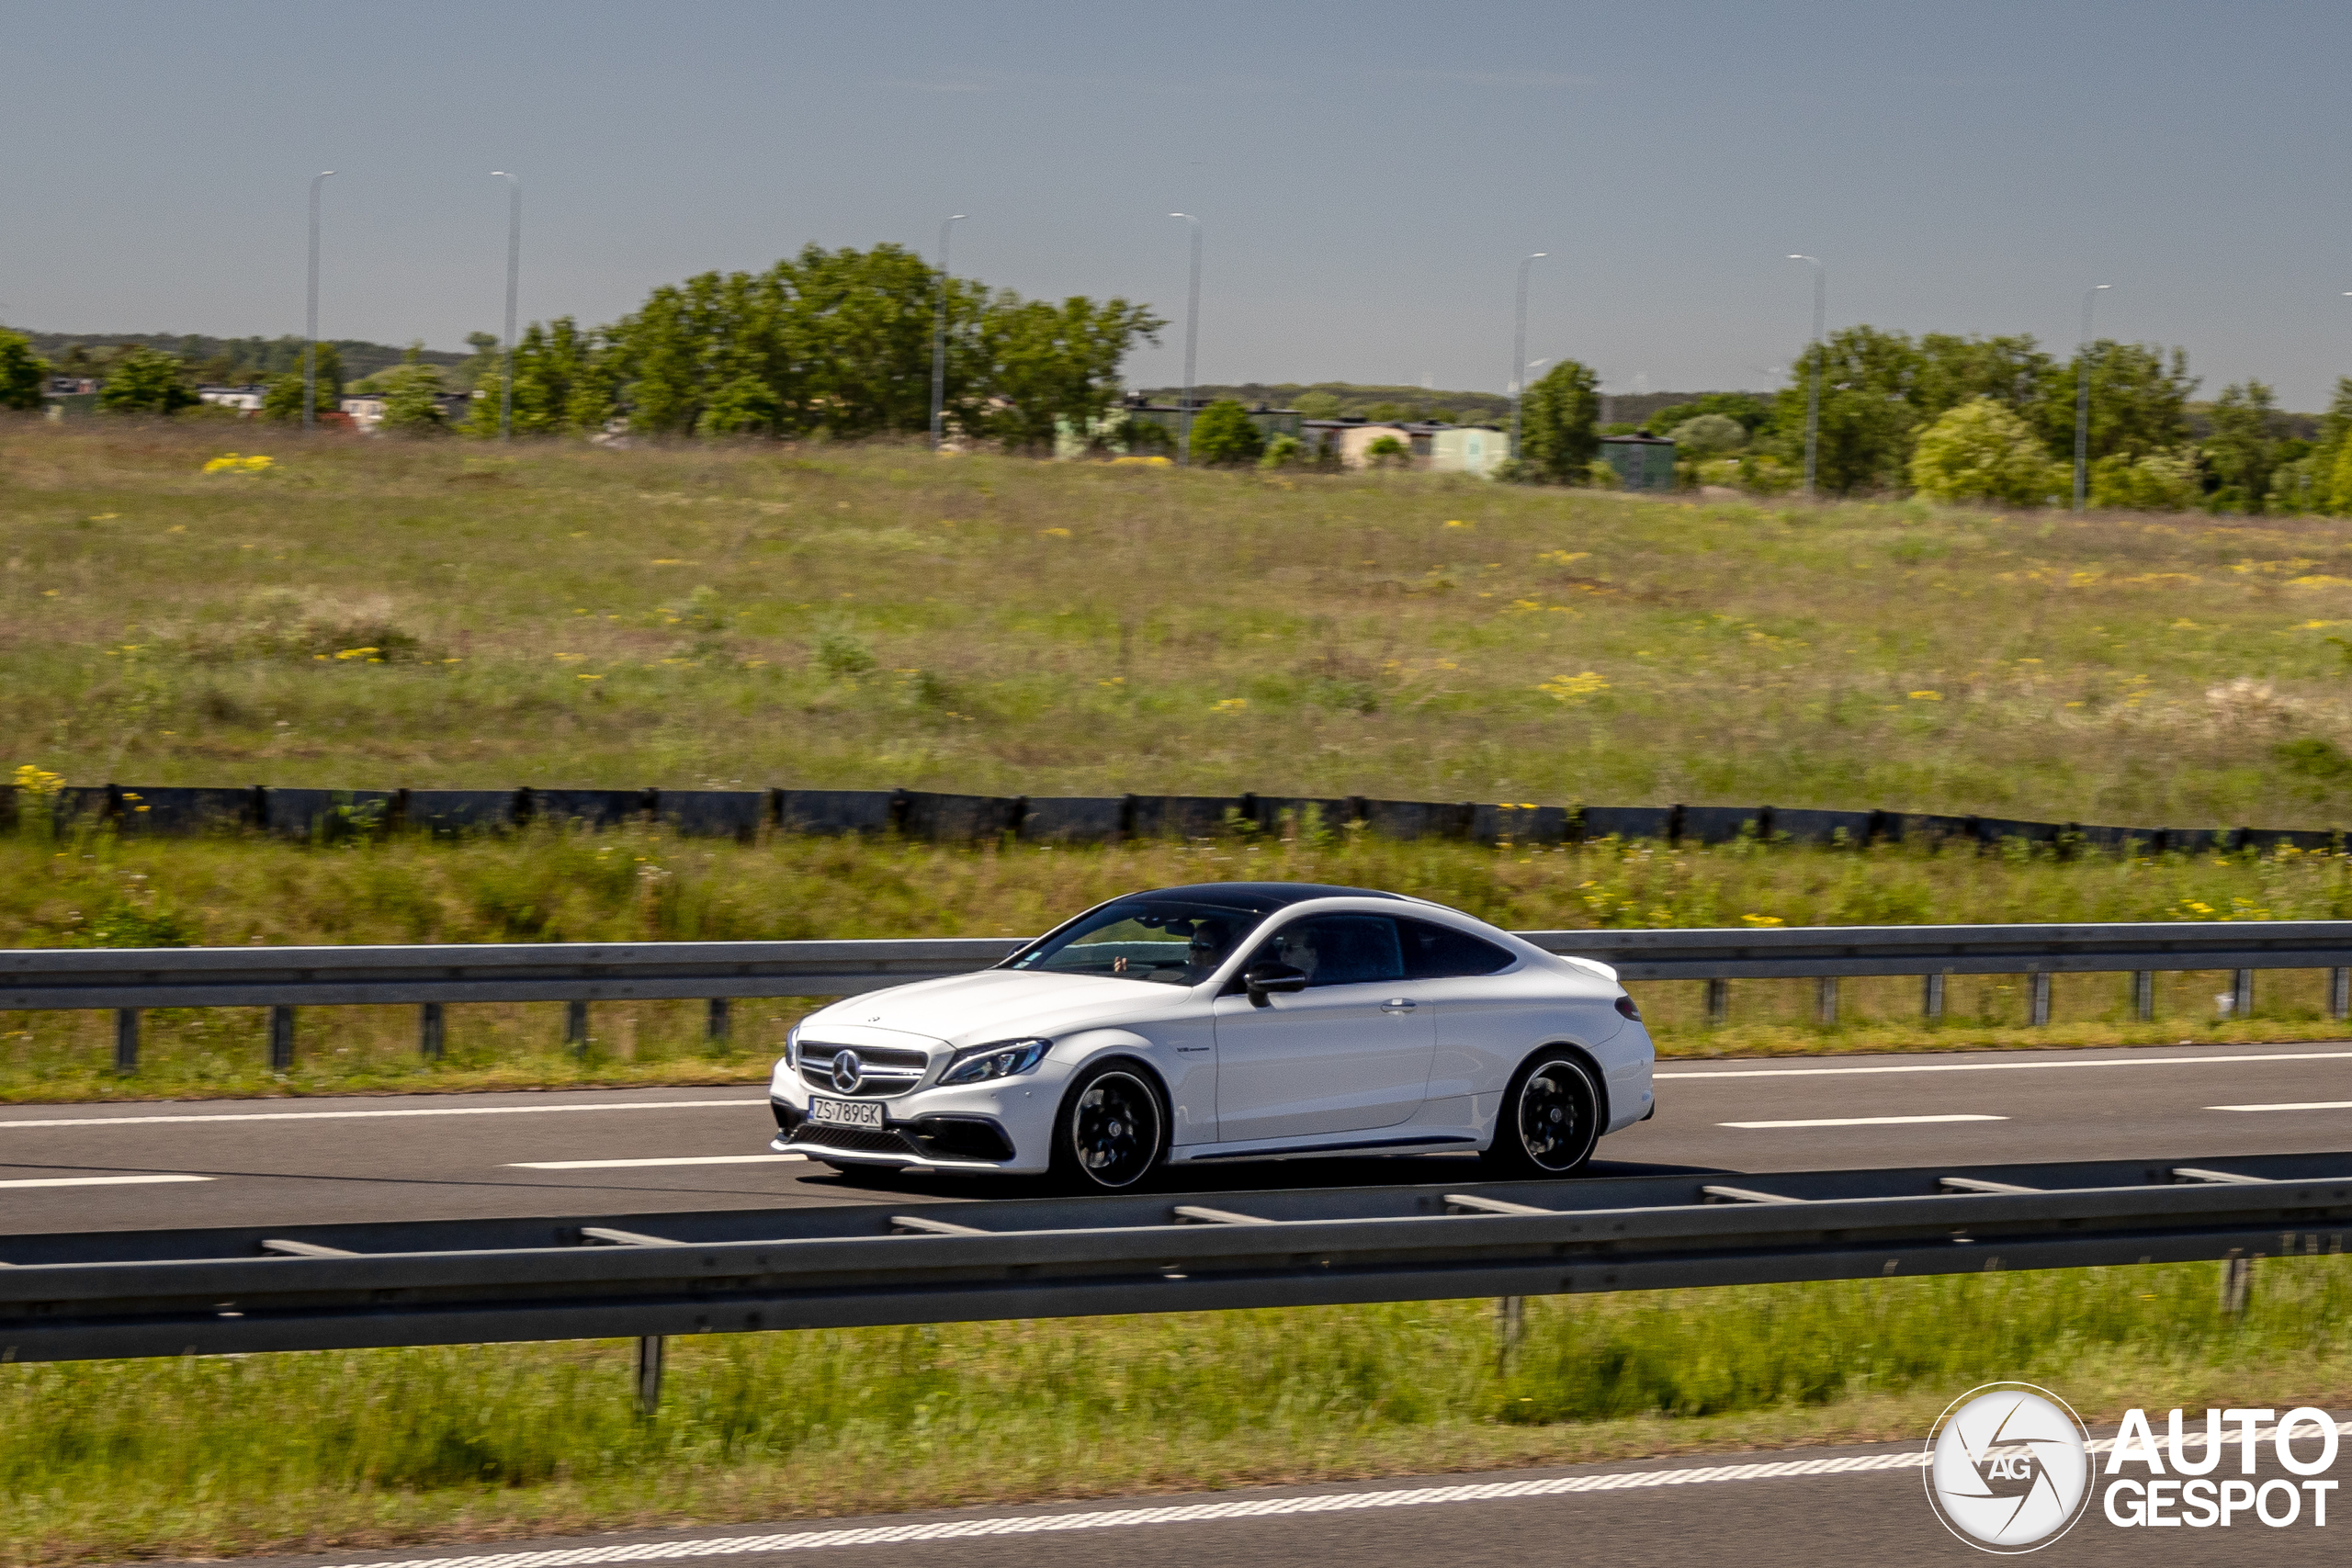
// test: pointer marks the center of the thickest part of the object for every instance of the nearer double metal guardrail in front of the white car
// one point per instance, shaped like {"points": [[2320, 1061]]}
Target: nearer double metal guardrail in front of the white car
{"points": [[154, 1294]]}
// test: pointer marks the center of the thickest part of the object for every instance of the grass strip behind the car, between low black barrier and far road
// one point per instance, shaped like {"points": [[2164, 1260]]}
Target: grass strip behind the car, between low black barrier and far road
{"points": [[639, 885]]}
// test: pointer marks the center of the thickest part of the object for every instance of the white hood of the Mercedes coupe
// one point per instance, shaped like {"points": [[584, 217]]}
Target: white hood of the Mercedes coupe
{"points": [[998, 1005]]}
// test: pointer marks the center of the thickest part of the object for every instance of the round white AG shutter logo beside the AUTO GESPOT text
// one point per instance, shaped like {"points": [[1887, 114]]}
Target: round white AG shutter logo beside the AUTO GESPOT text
{"points": [[2007, 1468]]}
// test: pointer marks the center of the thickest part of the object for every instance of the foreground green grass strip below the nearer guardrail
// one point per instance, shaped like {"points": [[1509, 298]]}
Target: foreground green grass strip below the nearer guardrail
{"points": [[370, 1449]]}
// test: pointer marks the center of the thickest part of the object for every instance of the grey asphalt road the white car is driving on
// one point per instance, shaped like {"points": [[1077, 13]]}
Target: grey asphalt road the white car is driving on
{"points": [[646, 1151]]}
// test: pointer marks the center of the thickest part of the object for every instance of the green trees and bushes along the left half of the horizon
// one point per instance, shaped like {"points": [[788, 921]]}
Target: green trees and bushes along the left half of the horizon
{"points": [[824, 342]]}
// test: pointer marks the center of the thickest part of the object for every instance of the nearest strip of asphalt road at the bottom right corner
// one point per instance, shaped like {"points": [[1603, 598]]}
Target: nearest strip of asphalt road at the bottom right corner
{"points": [[1641, 1515]]}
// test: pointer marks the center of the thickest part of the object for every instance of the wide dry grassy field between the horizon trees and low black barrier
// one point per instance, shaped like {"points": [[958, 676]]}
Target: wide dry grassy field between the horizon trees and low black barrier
{"points": [[457, 615]]}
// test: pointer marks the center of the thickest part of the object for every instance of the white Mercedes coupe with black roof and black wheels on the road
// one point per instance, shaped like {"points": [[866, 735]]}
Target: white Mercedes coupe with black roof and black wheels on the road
{"points": [[1227, 1021]]}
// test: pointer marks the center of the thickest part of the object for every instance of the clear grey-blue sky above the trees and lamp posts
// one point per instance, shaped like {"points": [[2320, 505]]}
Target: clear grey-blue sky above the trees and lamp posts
{"points": [[1368, 173]]}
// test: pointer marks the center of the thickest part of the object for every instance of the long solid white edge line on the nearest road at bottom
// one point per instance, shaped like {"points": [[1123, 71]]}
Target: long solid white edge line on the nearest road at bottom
{"points": [[1189, 1513]]}
